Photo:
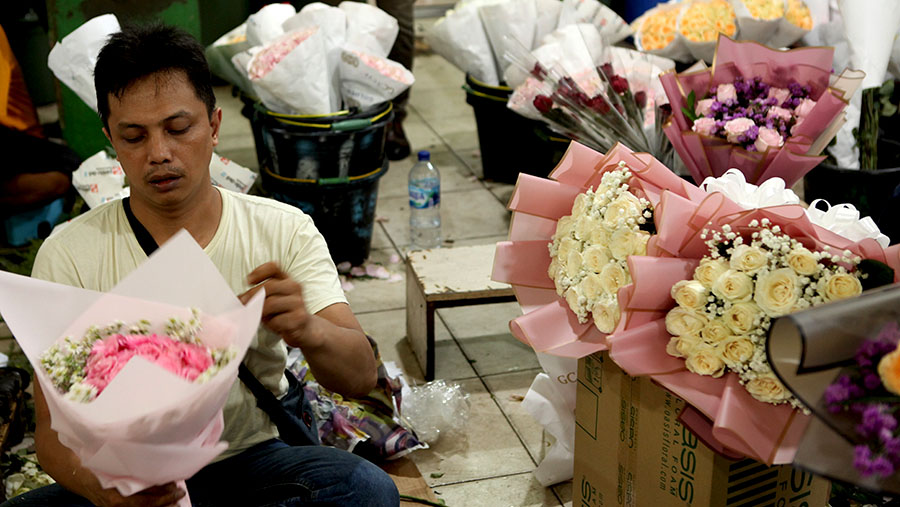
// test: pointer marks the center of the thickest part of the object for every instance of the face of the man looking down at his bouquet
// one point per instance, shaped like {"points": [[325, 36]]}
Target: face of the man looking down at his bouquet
{"points": [[164, 139]]}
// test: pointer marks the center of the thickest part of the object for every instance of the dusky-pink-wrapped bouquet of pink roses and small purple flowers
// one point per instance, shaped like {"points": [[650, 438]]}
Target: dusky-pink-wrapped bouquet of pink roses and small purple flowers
{"points": [[766, 112]]}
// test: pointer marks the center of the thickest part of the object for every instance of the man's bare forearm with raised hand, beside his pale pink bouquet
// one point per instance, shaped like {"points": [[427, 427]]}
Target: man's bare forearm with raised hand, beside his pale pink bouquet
{"points": [[332, 341]]}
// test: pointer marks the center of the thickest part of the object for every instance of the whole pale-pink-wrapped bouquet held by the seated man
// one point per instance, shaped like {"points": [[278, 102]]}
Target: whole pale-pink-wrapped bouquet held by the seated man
{"points": [[145, 409]]}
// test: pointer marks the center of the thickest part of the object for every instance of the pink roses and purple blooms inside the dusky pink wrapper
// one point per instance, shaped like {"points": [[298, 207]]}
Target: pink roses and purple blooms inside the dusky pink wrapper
{"points": [[750, 113]]}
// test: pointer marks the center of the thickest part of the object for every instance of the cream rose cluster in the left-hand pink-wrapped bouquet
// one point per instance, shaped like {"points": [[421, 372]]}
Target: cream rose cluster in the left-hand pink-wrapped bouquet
{"points": [[591, 245]]}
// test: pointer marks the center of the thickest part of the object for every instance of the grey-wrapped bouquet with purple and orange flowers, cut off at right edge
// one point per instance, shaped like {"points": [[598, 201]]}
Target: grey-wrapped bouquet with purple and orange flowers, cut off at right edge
{"points": [[842, 361]]}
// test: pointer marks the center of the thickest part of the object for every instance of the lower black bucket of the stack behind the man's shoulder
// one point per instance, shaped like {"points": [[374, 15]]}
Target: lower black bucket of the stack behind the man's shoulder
{"points": [[343, 209]]}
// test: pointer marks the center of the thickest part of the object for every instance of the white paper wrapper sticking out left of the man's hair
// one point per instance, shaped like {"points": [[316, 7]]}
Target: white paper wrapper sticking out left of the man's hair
{"points": [[72, 60]]}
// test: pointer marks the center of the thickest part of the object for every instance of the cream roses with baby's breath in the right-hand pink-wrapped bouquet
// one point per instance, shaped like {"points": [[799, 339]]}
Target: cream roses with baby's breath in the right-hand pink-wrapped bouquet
{"points": [[722, 315]]}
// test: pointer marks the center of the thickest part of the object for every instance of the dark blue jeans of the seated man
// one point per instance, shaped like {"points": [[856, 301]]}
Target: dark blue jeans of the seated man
{"points": [[270, 474]]}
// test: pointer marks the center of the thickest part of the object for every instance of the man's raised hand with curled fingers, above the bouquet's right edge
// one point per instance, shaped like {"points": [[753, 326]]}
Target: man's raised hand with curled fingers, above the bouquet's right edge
{"points": [[284, 311]]}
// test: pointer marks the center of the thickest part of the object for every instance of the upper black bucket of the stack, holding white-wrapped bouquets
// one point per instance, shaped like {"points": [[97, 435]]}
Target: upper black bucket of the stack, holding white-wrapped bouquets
{"points": [[311, 147]]}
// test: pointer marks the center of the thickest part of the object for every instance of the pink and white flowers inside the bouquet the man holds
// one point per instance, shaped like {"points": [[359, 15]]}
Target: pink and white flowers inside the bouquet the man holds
{"points": [[81, 368]]}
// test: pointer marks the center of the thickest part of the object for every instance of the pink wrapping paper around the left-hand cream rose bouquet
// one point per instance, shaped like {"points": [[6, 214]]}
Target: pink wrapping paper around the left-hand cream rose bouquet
{"points": [[548, 324]]}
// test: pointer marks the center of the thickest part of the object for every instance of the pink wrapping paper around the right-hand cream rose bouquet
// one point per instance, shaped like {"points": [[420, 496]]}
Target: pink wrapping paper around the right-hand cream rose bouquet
{"points": [[724, 413]]}
